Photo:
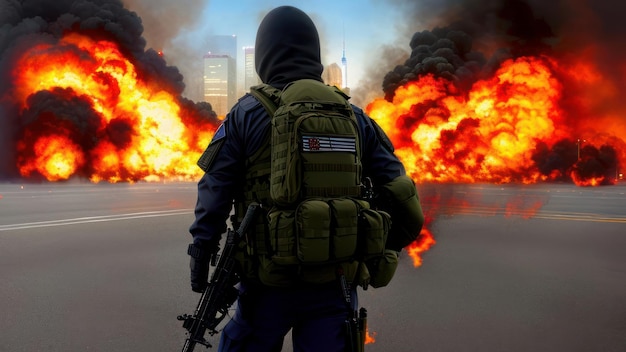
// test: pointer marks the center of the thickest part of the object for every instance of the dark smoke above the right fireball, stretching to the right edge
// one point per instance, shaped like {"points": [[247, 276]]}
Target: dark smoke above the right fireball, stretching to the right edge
{"points": [[488, 31]]}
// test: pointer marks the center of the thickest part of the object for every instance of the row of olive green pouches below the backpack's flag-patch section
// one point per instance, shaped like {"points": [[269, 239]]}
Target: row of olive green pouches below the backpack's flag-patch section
{"points": [[312, 239]]}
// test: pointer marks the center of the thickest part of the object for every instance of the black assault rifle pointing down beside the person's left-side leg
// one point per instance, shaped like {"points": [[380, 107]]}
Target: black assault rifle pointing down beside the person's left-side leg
{"points": [[220, 293]]}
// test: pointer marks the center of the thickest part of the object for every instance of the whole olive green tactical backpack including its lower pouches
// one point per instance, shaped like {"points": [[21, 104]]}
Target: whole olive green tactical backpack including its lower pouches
{"points": [[318, 219]]}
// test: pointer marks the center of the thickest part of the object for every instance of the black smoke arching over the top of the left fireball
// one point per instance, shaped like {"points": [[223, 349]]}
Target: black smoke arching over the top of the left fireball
{"points": [[23, 22]]}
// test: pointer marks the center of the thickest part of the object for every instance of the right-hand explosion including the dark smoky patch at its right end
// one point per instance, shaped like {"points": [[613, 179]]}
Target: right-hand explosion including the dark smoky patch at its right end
{"points": [[510, 127]]}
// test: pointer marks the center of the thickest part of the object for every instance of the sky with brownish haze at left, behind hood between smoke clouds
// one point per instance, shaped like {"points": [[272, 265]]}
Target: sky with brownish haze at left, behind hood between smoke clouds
{"points": [[358, 32]]}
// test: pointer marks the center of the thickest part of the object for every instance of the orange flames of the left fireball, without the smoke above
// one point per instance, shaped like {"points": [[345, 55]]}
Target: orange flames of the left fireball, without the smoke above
{"points": [[142, 130]]}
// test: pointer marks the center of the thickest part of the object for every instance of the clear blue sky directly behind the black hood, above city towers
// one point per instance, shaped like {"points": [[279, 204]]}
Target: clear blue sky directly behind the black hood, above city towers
{"points": [[345, 29]]}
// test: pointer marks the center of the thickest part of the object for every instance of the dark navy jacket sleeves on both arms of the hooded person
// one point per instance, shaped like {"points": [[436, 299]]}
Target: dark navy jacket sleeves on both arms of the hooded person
{"points": [[244, 129]]}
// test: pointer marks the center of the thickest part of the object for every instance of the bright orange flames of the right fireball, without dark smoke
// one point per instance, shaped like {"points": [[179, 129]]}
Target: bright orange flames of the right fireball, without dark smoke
{"points": [[486, 135]]}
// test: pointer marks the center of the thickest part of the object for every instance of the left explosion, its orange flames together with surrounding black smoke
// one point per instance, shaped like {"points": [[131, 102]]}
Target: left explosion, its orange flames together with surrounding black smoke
{"points": [[86, 99]]}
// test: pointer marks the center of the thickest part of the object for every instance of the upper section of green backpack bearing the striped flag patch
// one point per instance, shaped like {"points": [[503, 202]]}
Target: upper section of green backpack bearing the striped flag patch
{"points": [[315, 144]]}
